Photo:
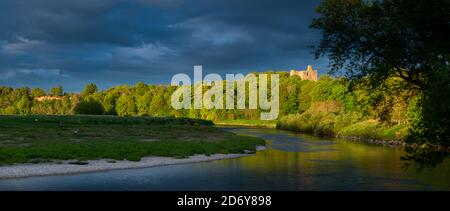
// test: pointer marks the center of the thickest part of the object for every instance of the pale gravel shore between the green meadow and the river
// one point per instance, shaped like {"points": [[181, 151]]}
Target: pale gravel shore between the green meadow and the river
{"points": [[92, 166]]}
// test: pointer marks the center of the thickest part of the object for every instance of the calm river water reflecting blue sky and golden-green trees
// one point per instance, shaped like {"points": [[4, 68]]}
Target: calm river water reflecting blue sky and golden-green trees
{"points": [[291, 162]]}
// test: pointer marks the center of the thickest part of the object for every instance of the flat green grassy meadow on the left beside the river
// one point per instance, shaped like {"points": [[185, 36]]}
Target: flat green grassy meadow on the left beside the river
{"points": [[51, 138]]}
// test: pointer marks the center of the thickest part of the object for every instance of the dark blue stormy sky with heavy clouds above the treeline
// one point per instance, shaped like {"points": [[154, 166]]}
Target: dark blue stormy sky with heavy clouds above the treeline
{"points": [[44, 43]]}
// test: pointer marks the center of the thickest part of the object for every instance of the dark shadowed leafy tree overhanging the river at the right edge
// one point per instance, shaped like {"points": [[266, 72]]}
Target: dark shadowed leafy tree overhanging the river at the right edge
{"points": [[402, 38]]}
